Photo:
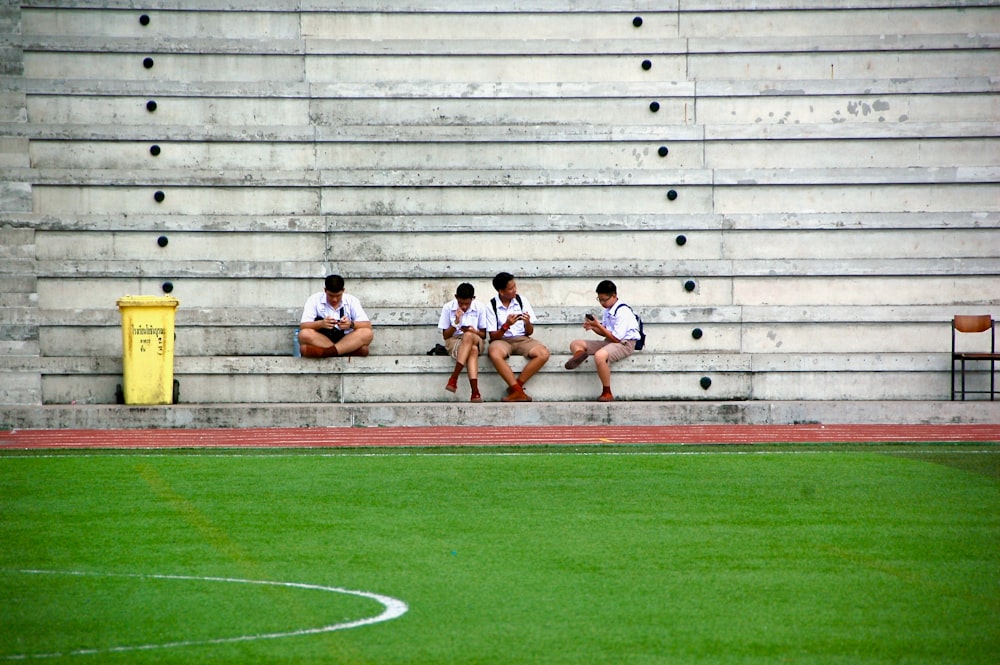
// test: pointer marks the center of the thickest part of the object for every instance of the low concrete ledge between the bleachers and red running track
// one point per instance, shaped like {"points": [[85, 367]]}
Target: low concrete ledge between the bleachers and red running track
{"points": [[492, 415]]}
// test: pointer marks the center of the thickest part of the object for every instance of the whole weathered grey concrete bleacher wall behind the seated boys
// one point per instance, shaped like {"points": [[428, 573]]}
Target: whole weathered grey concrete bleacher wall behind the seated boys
{"points": [[796, 199]]}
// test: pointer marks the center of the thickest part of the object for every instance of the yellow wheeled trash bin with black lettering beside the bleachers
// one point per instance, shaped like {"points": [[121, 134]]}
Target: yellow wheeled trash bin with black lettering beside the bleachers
{"points": [[148, 349]]}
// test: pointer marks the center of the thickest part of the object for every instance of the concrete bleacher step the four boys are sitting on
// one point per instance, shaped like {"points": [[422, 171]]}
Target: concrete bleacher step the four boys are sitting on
{"points": [[401, 379]]}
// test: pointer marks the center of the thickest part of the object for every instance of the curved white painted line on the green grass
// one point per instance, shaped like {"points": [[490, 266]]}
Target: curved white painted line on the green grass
{"points": [[394, 609]]}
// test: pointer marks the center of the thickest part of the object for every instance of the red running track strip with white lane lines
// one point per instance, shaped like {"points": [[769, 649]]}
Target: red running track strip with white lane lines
{"points": [[348, 437]]}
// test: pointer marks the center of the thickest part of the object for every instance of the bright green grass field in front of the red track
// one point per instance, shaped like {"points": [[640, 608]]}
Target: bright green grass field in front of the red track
{"points": [[778, 554]]}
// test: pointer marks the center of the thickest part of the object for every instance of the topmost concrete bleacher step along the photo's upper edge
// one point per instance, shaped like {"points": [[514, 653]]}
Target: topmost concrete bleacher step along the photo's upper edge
{"points": [[532, 19]]}
